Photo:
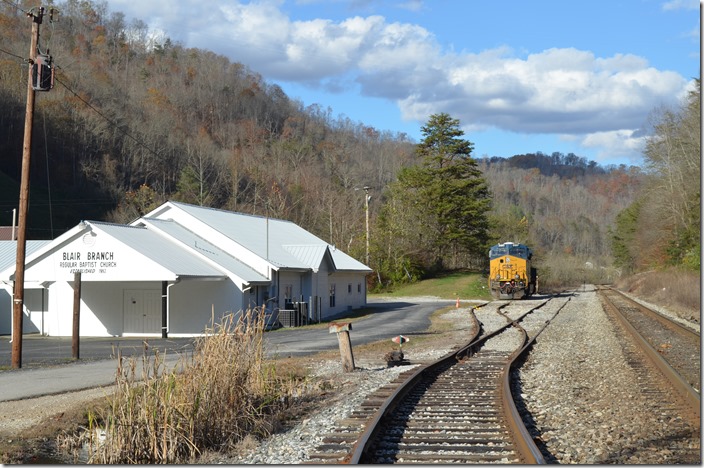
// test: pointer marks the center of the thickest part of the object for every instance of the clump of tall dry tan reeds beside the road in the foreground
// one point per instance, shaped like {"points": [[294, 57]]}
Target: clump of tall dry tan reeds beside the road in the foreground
{"points": [[222, 393]]}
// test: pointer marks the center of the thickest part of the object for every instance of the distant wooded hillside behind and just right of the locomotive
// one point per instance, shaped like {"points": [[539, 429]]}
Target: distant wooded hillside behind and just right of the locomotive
{"points": [[563, 206]]}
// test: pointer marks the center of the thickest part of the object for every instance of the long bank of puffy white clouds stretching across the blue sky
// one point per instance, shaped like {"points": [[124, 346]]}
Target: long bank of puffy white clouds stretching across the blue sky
{"points": [[601, 100]]}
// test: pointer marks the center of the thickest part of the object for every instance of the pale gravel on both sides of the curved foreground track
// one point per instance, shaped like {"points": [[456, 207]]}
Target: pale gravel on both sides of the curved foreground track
{"points": [[576, 384]]}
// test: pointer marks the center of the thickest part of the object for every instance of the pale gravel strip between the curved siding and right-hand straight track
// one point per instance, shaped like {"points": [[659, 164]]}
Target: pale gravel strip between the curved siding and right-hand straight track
{"points": [[589, 404]]}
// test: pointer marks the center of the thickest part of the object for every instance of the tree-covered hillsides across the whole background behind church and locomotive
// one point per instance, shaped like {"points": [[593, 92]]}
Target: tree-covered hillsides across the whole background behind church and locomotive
{"points": [[136, 119]]}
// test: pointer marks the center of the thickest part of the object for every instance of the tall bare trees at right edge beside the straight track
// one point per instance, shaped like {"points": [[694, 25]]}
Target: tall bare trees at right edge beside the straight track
{"points": [[662, 226]]}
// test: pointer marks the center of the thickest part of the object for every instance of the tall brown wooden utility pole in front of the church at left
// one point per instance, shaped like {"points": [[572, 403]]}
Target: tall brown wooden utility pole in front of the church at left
{"points": [[18, 296]]}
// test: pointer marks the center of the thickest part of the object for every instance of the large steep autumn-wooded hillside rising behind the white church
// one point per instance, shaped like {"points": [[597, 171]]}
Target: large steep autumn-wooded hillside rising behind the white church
{"points": [[132, 122]]}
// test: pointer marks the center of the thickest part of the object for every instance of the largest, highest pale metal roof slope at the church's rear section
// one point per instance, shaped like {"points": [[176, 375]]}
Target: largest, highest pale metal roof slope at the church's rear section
{"points": [[283, 243]]}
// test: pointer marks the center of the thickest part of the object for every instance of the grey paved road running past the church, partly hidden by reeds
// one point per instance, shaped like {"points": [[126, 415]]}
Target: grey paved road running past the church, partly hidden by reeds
{"points": [[48, 367]]}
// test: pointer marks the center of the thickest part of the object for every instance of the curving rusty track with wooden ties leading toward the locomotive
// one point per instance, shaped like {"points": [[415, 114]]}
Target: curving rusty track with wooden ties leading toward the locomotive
{"points": [[458, 409]]}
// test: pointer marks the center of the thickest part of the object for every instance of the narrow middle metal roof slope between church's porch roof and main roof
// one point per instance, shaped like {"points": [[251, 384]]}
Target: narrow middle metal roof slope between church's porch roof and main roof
{"points": [[202, 247]]}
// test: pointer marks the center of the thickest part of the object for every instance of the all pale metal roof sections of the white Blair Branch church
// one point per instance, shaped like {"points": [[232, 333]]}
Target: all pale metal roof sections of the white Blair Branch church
{"points": [[282, 243]]}
